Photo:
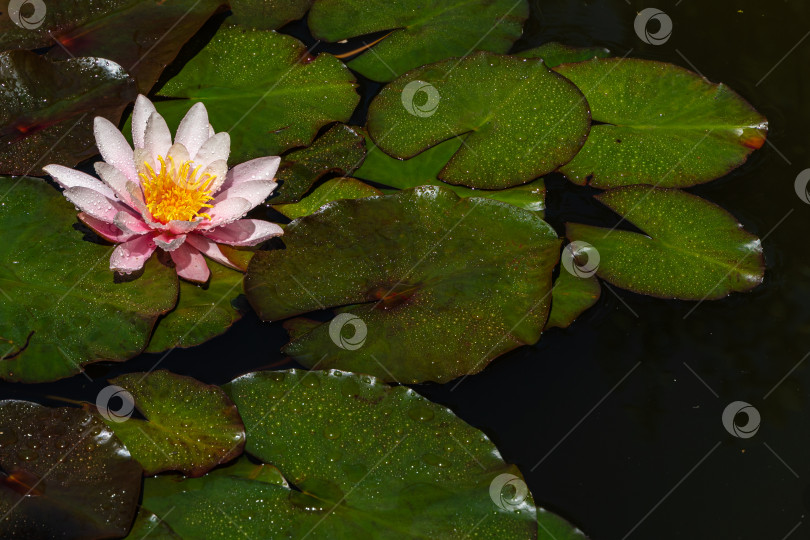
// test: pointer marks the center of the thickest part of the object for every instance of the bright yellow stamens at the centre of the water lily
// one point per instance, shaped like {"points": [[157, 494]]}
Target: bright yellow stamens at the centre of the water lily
{"points": [[175, 193]]}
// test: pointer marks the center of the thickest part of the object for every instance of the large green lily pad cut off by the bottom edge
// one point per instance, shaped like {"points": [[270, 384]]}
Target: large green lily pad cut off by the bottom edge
{"points": [[369, 461]]}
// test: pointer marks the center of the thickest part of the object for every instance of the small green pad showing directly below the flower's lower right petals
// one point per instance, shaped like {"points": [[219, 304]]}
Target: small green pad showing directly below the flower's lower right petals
{"points": [[202, 311]]}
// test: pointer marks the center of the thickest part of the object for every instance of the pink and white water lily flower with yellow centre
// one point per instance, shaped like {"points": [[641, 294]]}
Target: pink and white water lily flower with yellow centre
{"points": [[178, 197]]}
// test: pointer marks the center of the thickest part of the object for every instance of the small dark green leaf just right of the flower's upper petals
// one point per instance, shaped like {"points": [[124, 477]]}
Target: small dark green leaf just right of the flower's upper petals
{"points": [[341, 149]]}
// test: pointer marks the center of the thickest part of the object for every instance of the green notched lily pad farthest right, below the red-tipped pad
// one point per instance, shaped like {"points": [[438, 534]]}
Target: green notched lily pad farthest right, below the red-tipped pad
{"points": [[691, 249]]}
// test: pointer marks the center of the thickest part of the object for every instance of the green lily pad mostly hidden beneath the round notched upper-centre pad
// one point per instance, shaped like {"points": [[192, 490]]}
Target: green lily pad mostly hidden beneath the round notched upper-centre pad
{"points": [[423, 170]]}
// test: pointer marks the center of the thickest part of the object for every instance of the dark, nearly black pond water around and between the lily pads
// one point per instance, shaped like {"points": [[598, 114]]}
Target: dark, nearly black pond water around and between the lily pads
{"points": [[616, 421]]}
